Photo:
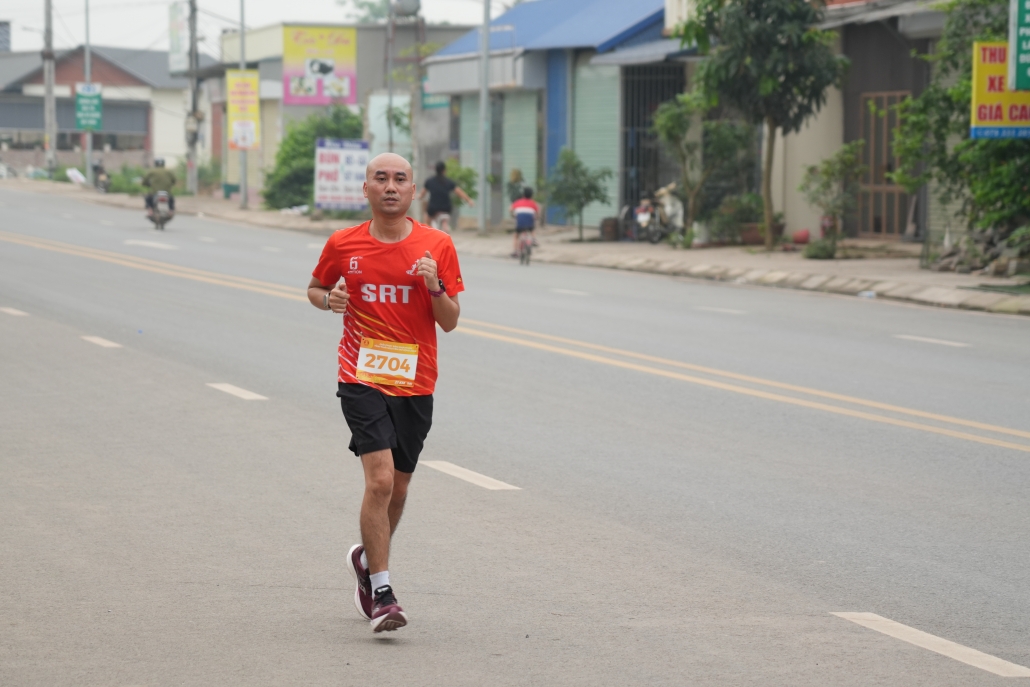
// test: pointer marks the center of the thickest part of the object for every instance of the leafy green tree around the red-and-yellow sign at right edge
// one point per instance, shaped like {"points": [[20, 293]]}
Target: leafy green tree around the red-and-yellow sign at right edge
{"points": [[987, 181]]}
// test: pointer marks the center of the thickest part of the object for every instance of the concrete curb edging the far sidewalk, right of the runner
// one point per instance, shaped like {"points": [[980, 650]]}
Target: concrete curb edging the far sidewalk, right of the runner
{"points": [[937, 296]]}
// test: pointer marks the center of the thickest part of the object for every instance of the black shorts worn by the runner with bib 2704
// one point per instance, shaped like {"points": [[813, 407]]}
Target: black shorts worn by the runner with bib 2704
{"points": [[379, 422]]}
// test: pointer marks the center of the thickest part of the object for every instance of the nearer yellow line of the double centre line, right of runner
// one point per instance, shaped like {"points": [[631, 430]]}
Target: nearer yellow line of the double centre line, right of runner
{"points": [[748, 392]]}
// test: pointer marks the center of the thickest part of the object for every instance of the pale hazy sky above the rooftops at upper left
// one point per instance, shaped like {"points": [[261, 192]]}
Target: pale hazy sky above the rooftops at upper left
{"points": [[144, 24]]}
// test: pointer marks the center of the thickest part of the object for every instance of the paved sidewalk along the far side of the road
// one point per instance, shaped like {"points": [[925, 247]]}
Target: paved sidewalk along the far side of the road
{"points": [[896, 278]]}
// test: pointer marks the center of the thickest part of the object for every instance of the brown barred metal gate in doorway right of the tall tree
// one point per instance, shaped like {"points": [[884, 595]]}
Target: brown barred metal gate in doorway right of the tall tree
{"points": [[883, 207]]}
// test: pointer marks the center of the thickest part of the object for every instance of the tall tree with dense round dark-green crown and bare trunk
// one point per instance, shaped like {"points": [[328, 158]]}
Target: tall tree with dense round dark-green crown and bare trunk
{"points": [[769, 61]]}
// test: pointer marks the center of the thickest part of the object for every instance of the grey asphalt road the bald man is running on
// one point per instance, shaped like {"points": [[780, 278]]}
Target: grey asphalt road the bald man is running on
{"points": [[707, 473]]}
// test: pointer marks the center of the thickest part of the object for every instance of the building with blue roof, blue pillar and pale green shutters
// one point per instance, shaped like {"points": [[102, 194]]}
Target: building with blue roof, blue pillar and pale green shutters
{"points": [[552, 87]]}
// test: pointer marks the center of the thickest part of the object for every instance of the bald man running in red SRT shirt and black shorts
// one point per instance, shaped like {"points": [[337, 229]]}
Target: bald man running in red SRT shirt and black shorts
{"points": [[400, 280]]}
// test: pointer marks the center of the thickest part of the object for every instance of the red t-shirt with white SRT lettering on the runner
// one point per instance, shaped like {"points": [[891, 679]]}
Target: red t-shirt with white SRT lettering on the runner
{"points": [[389, 305]]}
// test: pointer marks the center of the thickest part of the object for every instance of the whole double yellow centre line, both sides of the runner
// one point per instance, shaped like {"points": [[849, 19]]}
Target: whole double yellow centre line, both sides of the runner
{"points": [[296, 294]]}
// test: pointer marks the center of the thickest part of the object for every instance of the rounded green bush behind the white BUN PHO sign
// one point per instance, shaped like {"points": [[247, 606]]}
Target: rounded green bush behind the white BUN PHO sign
{"points": [[292, 181]]}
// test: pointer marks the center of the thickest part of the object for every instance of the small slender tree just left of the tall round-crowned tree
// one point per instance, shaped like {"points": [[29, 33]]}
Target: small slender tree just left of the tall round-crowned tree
{"points": [[718, 147]]}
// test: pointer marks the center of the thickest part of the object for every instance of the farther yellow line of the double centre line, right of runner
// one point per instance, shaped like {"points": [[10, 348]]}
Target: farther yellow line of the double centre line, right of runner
{"points": [[757, 381]]}
